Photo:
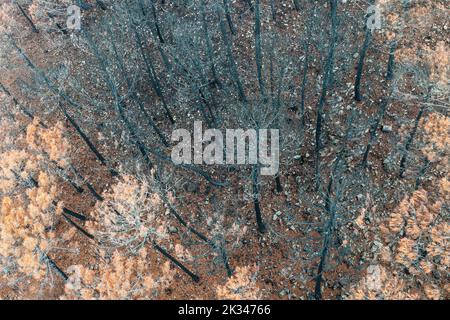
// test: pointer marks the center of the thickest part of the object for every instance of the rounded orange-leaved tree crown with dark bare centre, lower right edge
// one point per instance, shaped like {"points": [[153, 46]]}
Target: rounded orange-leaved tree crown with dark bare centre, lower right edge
{"points": [[416, 237]]}
